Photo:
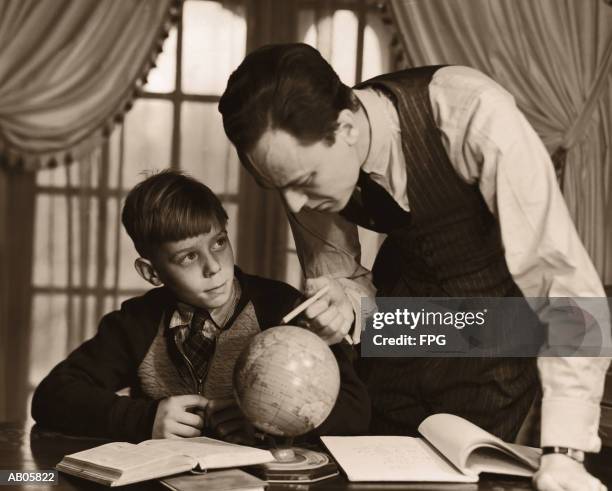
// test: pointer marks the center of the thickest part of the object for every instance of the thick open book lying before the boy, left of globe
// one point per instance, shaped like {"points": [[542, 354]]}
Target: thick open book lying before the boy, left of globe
{"points": [[119, 463]]}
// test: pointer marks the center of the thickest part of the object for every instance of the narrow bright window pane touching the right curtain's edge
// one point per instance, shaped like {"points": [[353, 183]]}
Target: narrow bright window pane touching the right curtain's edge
{"points": [[376, 43]]}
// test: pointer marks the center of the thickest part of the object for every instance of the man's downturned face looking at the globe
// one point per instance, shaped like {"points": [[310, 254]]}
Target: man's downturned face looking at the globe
{"points": [[318, 176]]}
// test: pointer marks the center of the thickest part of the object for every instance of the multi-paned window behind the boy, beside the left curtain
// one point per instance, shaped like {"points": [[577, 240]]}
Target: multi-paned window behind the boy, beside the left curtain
{"points": [[83, 259]]}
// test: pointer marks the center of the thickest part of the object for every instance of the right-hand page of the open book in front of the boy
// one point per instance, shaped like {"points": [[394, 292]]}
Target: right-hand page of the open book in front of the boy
{"points": [[212, 454]]}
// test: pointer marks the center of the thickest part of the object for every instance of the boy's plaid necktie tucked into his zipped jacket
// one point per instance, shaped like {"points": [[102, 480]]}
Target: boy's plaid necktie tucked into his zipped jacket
{"points": [[199, 344]]}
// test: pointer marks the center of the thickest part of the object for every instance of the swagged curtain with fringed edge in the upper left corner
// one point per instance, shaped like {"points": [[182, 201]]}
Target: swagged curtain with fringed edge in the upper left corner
{"points": [[69, 69]]}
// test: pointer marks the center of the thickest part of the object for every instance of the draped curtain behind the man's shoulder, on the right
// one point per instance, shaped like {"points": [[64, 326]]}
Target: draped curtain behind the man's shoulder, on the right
{"points": [[555, 57]]}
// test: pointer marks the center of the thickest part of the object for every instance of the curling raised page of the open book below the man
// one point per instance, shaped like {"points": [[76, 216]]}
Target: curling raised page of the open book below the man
{"points": [[474, 450]]}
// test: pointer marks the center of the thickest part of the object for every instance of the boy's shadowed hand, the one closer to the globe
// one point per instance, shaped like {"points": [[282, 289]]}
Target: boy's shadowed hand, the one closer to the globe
{"points": [[226, 421]]}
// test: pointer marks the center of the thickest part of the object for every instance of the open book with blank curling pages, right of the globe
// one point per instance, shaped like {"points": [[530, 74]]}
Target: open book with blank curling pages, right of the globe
{"points": [[452, 450]]}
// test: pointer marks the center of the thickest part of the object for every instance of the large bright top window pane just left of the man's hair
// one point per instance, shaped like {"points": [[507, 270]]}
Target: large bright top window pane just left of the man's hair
{"points": [[214, 43]]}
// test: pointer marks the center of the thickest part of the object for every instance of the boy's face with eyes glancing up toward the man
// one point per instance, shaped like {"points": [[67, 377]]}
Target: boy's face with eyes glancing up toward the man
{"points": [[199, 270]]}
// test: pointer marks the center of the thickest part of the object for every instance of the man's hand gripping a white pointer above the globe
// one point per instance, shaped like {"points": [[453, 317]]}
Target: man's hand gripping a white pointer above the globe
{"points": [[332, 316]]}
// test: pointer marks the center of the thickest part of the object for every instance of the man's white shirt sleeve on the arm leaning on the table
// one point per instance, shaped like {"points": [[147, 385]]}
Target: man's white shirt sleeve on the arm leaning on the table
{"points": [[496, 147]]}
